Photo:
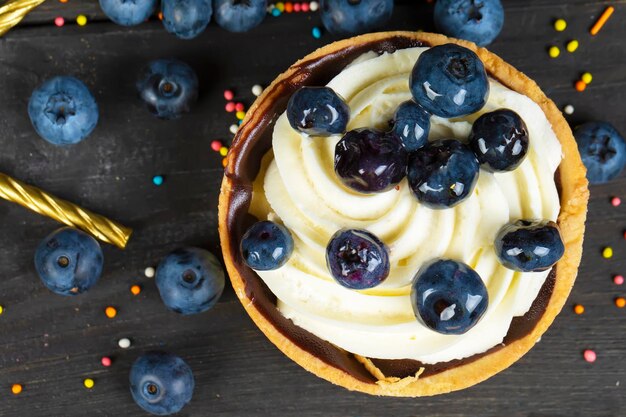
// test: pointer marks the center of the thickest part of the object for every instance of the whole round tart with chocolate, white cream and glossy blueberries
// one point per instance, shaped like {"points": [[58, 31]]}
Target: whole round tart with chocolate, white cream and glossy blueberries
{"points": [[413, 241]]}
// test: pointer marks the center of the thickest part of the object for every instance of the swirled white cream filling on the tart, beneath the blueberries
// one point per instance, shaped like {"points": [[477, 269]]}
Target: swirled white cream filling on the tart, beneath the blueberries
{"points": [[298, 187]]}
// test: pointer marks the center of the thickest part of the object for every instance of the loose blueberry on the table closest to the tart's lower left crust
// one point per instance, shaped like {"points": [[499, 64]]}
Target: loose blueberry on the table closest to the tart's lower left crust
{"points": [[190, 280]]}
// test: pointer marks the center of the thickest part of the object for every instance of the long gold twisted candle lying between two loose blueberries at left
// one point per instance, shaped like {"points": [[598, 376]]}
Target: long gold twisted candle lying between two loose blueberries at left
{"points": [[63, 211]]}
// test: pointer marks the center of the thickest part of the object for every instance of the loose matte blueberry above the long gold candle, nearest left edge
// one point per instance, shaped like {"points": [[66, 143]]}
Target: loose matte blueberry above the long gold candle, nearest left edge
{"points": [[63, 111]]}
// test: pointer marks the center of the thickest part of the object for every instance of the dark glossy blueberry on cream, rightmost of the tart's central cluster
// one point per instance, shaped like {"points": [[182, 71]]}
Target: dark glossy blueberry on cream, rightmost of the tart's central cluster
{"points": [[499, 140]]}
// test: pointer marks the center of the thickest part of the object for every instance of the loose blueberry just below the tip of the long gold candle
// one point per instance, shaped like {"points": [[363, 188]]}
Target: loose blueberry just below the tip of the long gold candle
{"points": [[69, 261]]}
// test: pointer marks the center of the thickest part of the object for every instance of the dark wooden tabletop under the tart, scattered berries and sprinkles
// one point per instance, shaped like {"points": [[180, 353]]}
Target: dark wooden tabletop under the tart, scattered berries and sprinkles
{"points": [[50, 343]]}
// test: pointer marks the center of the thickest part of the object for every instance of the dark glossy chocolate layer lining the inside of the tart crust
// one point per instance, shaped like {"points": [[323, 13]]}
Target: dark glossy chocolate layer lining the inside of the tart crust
{"points": [[246, 153]]}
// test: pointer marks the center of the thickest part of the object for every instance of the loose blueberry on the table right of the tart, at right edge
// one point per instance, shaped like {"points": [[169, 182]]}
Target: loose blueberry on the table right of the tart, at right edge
{"points": [[602, 149]]}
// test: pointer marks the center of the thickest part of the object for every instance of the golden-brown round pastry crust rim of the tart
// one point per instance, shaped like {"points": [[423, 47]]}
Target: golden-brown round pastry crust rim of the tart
{"points": [[574, 197]]}
